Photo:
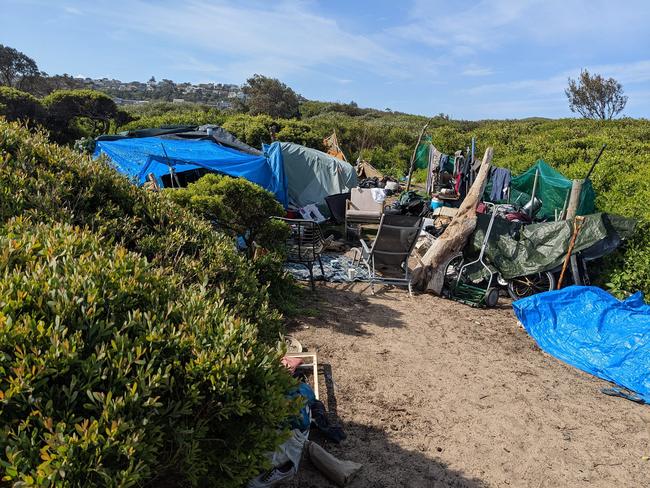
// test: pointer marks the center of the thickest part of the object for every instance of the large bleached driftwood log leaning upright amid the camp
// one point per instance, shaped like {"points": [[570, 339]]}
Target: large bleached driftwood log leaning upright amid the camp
{"points": [[427, 274]]}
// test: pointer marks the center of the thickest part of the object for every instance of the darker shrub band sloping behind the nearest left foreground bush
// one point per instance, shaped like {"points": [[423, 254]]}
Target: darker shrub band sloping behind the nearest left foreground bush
{"points": [[52, 183]]}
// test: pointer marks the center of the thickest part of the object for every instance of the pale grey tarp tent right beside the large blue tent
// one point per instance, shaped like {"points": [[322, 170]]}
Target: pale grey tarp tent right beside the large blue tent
{"points": [[312, 175]]}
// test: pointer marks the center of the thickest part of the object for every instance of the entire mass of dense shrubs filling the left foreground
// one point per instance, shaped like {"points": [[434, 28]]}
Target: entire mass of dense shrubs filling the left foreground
{"points": [[137, 345]]}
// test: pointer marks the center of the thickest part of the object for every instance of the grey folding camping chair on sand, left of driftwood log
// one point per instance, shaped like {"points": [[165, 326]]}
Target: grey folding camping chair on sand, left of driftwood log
{"points": [[390, 251]]}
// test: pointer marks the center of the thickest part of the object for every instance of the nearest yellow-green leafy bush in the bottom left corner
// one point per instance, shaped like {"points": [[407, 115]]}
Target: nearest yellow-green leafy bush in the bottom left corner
{"points": [[113, 373]]}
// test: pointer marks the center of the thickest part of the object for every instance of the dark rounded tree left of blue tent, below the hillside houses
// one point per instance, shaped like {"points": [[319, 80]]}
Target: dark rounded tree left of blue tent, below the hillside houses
{"points": [[70, 109]]}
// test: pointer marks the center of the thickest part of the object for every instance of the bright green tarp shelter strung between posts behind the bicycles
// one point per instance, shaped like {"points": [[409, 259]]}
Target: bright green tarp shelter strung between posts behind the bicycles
{"points": [[552, 189]]}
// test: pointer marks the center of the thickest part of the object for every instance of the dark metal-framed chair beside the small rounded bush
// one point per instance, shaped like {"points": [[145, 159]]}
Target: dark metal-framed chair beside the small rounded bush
{"points": [[304, 245]]}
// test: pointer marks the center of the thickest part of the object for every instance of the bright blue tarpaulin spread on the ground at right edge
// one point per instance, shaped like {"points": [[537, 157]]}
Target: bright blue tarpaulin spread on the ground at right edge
{"points": [[593, 331]]}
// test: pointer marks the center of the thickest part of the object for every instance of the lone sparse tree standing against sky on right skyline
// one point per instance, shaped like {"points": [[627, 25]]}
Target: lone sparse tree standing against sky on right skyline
{"points": [[595, 97]]}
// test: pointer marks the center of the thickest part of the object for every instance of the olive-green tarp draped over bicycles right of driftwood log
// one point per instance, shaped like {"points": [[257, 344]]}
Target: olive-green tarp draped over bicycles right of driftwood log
{"points": [[518, 251]]}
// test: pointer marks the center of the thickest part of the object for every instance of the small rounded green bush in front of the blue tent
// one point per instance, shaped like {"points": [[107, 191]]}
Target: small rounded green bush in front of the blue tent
{"points": [[236, 206]]}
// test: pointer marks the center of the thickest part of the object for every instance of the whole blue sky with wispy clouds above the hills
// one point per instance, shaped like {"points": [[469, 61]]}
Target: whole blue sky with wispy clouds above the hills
{"points": [[468, 59]]}
